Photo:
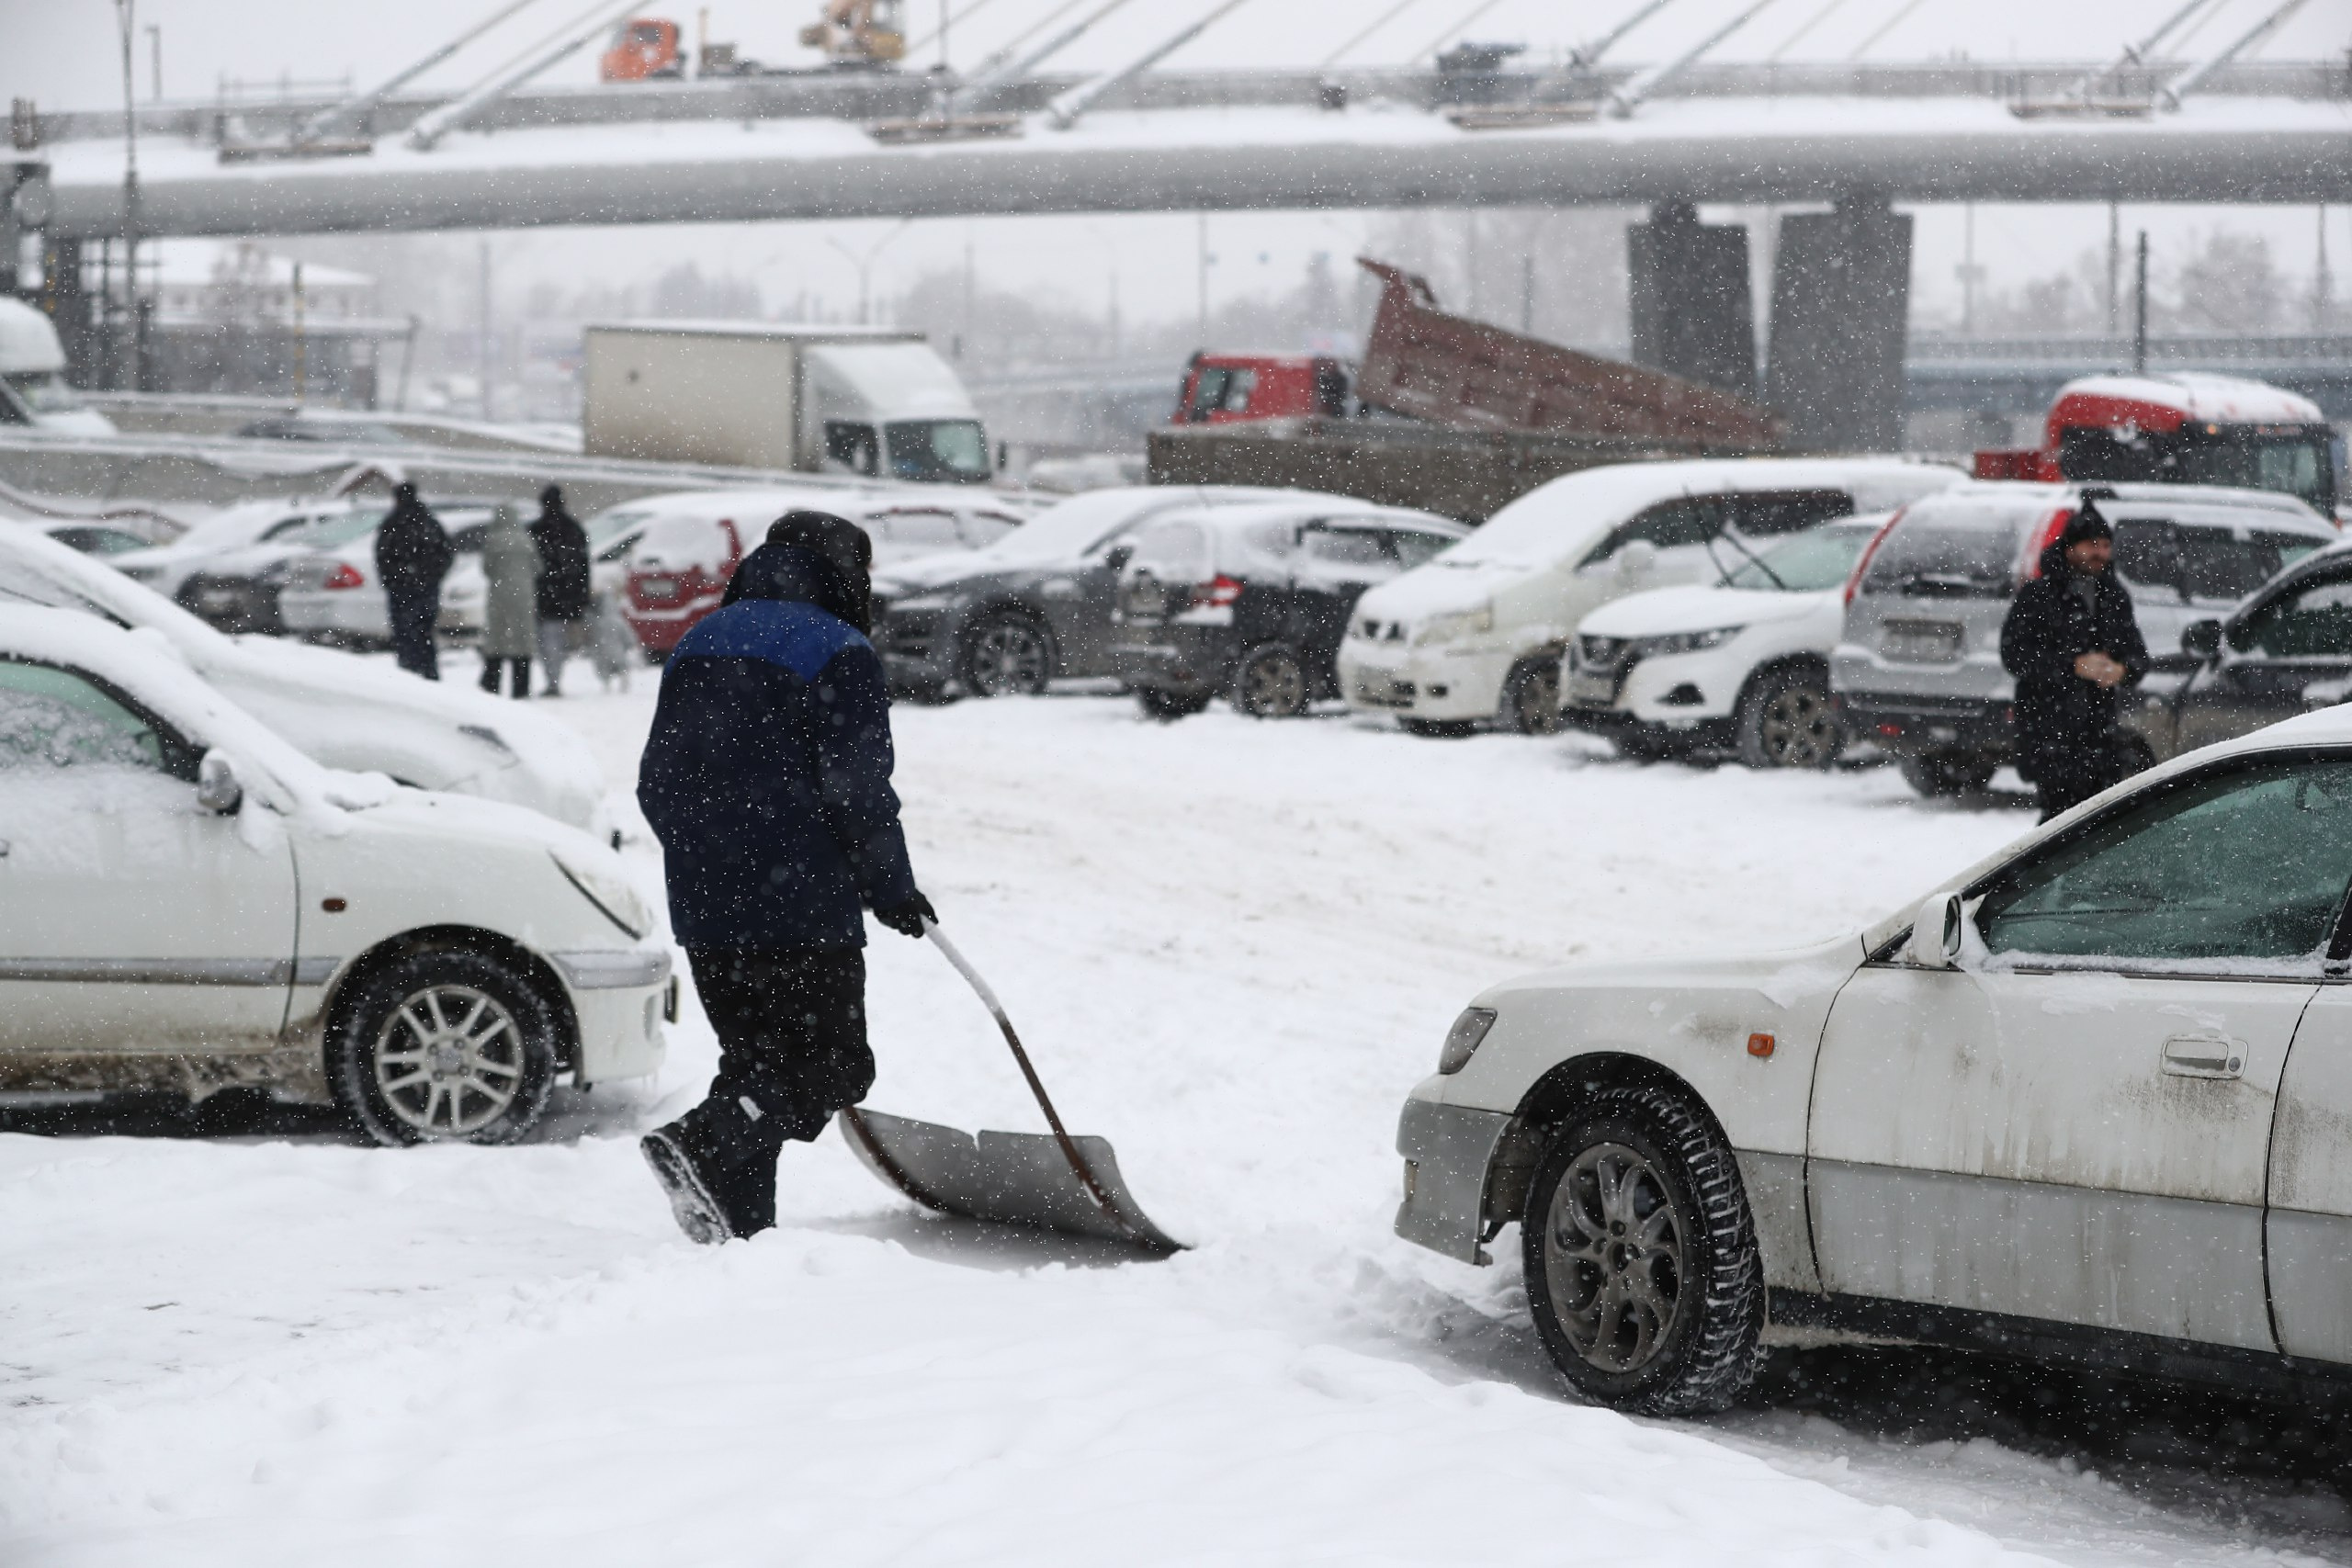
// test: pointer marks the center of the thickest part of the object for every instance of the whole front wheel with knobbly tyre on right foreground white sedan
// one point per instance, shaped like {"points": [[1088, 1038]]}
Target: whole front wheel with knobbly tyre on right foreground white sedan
{"points": [[1643, 1261]]}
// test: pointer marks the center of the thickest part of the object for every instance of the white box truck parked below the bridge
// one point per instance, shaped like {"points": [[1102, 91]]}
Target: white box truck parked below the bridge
{"points": [[855, 401]]}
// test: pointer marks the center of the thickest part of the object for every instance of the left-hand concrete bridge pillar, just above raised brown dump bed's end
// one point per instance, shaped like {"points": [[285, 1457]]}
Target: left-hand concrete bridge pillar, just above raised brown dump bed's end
{"points": [[1692, 311]]}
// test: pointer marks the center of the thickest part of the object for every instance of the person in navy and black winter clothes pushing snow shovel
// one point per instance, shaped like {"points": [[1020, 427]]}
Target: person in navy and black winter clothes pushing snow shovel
{"points": [[768, 784]]}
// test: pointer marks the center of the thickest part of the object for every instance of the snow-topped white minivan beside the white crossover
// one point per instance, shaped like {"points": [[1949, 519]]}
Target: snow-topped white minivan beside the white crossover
{"points": [[1481, 631]]}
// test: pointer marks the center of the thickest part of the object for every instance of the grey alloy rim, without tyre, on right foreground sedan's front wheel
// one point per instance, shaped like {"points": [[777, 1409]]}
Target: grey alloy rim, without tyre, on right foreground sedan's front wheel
{"points": [[1615, 1259]]}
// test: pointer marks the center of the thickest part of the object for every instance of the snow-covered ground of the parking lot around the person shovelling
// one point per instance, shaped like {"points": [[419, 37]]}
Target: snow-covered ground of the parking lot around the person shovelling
{"points": [[1231, 949]]}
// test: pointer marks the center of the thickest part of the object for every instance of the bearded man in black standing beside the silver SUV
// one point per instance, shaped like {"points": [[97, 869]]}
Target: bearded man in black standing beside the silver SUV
{"points": [[2076, 648]]}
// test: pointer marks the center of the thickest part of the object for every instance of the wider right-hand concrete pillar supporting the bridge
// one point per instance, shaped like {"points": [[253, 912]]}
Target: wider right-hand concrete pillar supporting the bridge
{"points": [[1840, 314]]}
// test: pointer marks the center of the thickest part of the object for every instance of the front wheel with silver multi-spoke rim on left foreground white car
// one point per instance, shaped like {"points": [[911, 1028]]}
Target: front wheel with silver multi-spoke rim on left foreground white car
{"points": [[443, 1047]]}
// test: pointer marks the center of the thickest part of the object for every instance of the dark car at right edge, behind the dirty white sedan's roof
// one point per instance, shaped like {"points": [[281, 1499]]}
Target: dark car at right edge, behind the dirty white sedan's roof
{"points": [[2283, 652]]}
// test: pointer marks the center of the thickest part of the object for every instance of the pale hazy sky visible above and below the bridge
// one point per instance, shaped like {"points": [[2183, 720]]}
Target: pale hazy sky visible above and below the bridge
{"points": [[65, 55]]}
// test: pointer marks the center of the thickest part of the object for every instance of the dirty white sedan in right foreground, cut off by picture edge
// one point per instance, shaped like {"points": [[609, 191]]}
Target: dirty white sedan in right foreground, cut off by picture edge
{"points": [[2085, 1104]]}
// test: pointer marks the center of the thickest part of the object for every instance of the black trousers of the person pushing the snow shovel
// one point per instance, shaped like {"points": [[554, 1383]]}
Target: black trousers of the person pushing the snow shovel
{"points": [[791, 1026]]}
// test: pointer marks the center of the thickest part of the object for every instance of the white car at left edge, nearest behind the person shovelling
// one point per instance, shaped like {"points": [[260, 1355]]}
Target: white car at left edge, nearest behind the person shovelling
{"points": [[189, 904]]}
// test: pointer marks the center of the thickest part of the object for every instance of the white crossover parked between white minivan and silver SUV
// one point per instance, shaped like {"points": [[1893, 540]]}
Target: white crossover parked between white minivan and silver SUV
{"points": [[1742, 664]]}
